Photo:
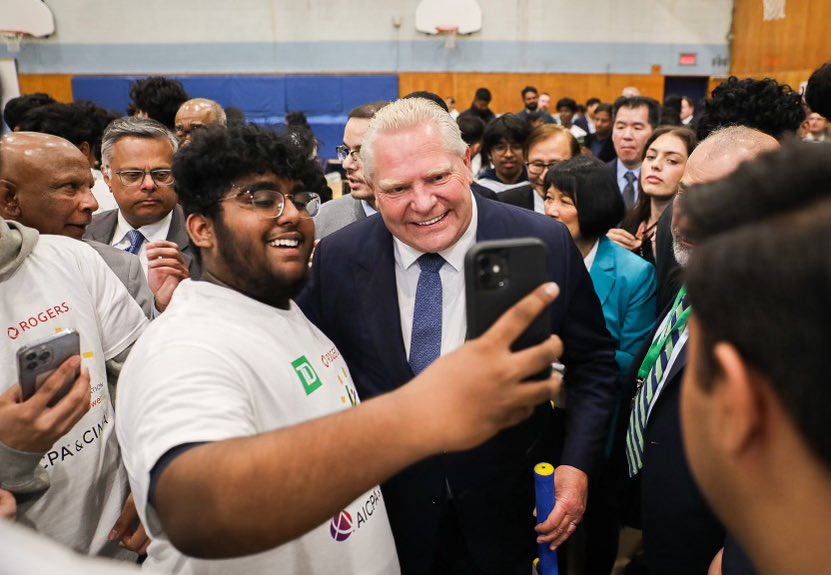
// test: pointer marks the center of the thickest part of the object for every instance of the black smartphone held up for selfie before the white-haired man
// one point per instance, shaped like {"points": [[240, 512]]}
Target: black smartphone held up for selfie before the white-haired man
{"points": [[498, 274]]}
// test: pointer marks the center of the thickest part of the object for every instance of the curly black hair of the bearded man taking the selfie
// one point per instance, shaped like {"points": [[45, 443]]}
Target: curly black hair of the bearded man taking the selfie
{"points": [[218, 156]]}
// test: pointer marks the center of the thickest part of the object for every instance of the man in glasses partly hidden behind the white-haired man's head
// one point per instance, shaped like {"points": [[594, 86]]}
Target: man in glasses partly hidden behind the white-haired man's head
{"points": [[360, 202]]}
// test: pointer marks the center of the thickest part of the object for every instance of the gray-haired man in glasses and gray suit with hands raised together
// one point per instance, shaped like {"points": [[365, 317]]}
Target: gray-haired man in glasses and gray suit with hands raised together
{"points": [[137, 157]]}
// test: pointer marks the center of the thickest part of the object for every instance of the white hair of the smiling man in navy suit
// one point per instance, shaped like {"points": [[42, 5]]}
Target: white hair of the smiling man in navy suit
{"points": [[409, 113]]}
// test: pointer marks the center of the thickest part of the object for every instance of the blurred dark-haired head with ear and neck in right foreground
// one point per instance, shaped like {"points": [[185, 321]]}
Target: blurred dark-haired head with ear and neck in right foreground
{"points": [[756, 401]]}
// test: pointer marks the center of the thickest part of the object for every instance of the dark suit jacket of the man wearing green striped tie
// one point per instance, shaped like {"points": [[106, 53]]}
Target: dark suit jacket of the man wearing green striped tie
{"points": [[680, 533]]}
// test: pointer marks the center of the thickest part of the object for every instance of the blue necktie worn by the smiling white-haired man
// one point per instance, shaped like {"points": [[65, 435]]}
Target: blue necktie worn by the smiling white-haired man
{"points": [[425, 344]]}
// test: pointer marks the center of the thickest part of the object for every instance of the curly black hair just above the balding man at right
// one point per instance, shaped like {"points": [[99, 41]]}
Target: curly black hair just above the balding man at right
{"points": [[765, 105]]}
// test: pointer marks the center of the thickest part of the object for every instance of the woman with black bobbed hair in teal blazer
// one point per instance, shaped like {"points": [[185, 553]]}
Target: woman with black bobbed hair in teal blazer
{"points": [[582, 193]]}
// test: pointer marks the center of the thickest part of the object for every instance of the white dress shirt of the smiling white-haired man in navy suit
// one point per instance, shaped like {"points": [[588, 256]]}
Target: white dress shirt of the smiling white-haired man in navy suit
{"points": [[453, 315]]}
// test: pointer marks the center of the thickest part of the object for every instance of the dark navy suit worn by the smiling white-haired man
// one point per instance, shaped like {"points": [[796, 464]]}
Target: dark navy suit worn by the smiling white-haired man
{"points": [[352, 297]]}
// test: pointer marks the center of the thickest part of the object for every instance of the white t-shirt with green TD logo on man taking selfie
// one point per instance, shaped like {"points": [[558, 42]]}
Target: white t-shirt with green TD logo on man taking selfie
{"points": [[219, 365]]}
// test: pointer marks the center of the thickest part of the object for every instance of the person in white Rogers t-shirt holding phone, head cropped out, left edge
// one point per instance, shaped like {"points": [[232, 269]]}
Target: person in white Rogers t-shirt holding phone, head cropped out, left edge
{"points": [[63, 463]]}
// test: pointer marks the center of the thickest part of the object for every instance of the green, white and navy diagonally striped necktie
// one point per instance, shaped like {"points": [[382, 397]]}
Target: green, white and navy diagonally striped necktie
{"points": [[646, 394]]}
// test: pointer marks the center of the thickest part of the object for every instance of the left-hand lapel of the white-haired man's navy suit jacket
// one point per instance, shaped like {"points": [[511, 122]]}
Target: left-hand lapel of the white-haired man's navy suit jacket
{"points": [[375, 275]]}
